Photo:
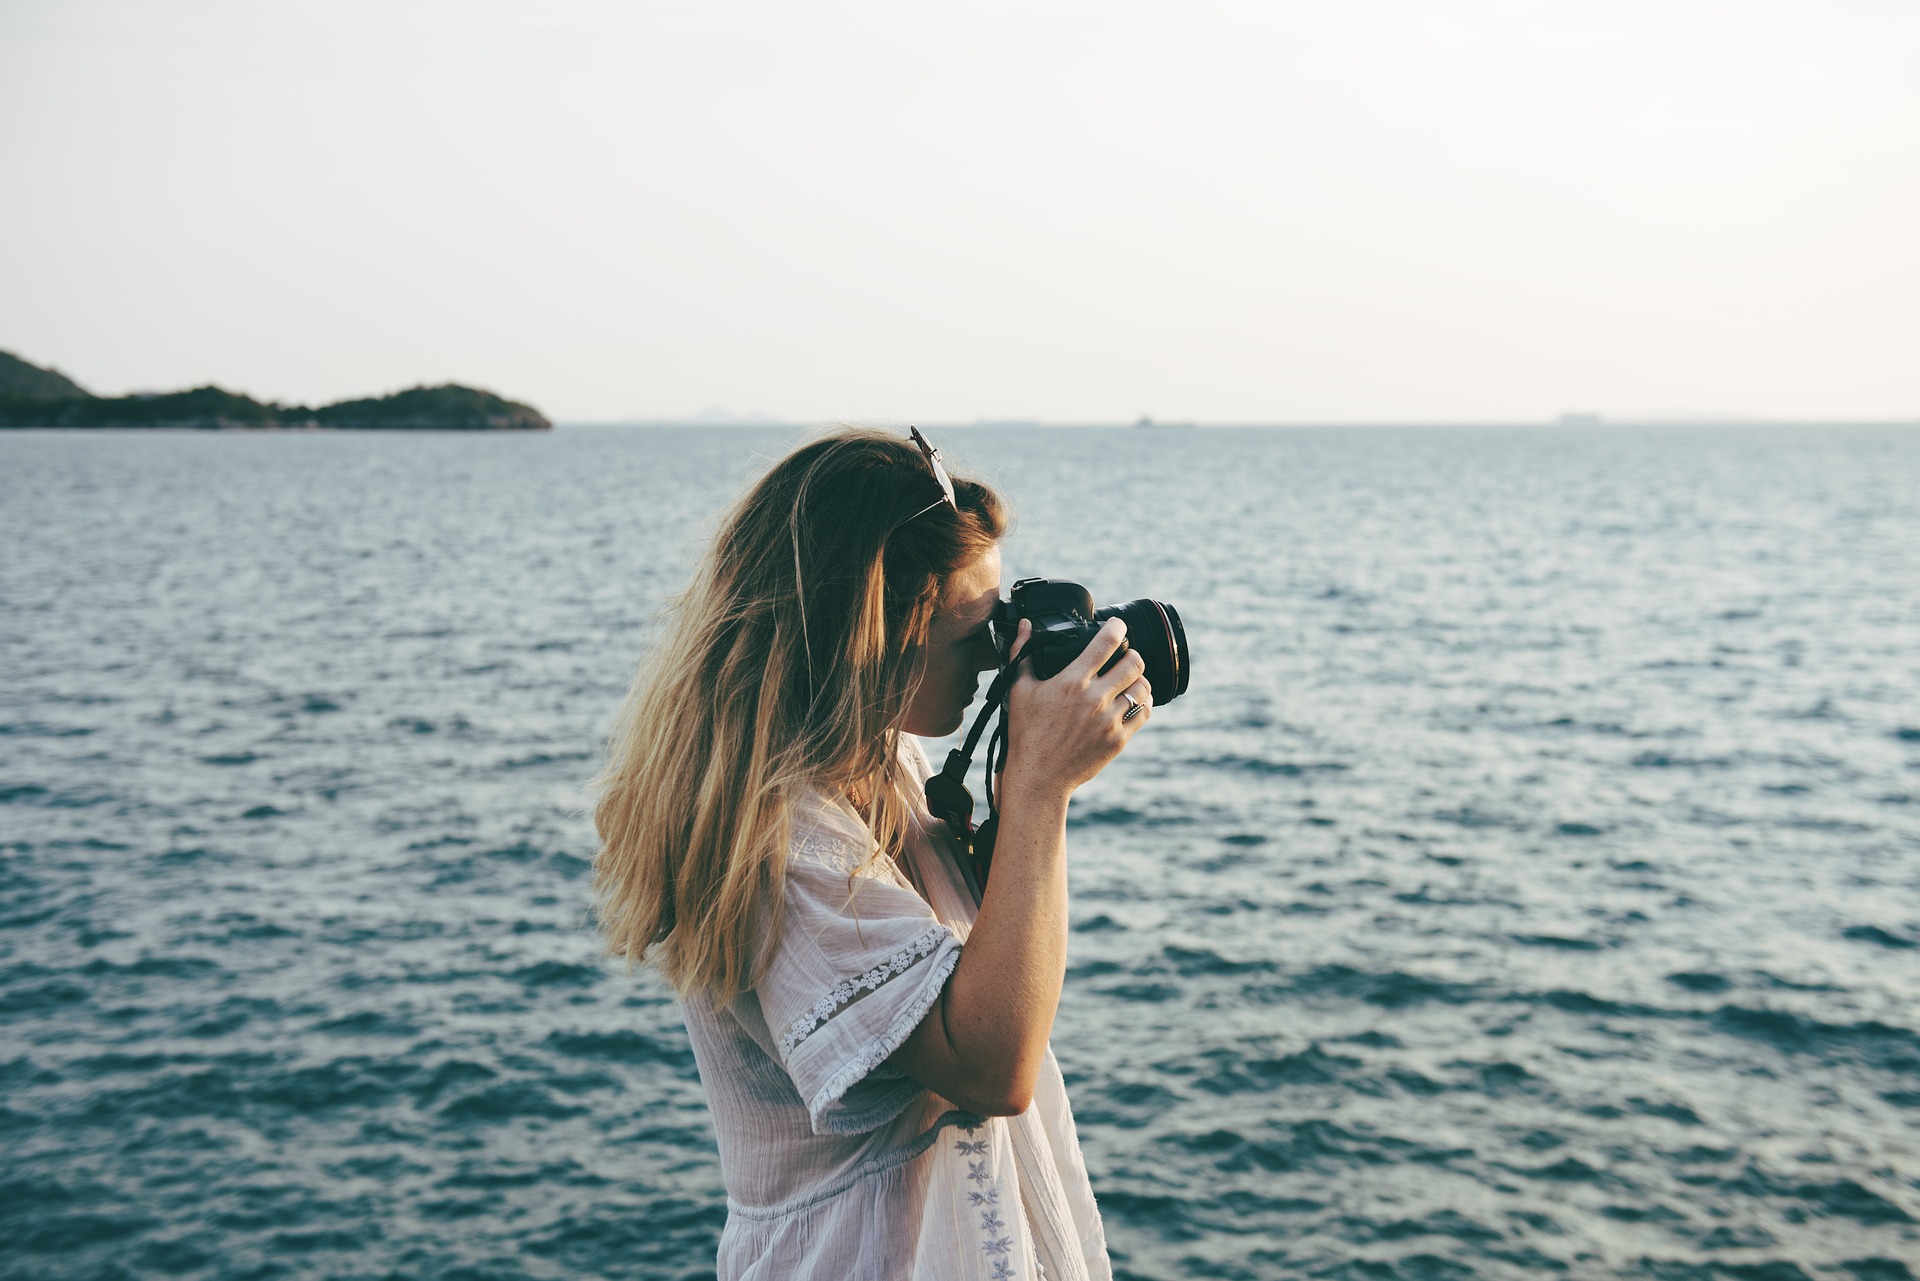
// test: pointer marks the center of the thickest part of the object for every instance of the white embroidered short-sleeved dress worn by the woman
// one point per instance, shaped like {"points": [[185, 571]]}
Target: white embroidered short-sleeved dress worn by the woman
{"points": [[840, 1169]]}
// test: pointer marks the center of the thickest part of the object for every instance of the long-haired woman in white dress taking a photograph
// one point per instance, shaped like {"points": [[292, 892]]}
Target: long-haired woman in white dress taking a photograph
{"points": [[869, 1023]]}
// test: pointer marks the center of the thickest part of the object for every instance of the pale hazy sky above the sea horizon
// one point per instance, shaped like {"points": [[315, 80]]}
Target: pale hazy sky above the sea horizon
{"points": [[1220, 212]]}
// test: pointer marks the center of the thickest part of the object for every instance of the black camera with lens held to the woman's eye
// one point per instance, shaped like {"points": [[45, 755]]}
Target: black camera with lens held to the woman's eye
{"points": [[1065, 623]]}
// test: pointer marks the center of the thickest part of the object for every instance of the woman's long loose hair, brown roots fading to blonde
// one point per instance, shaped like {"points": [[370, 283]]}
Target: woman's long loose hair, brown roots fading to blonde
{"points": [[788, 667]]}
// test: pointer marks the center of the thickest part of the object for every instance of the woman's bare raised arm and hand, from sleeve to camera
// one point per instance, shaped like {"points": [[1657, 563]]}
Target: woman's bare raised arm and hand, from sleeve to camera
{"points": [[986, 1038]]}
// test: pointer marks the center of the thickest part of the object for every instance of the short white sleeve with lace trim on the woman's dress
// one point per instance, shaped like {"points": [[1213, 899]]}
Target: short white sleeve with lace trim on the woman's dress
{"points": [[859, 963]]}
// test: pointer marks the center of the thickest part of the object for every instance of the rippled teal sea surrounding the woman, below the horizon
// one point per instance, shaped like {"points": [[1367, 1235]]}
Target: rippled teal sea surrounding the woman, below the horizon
{"points": [[1529, 884]]}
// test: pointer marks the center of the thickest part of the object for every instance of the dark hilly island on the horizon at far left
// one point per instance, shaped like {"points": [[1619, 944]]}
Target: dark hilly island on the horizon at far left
{"points": [[34, 397]]}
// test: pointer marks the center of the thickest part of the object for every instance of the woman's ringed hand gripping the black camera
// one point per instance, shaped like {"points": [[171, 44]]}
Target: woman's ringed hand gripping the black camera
{"points": [[1067, 729]]}
